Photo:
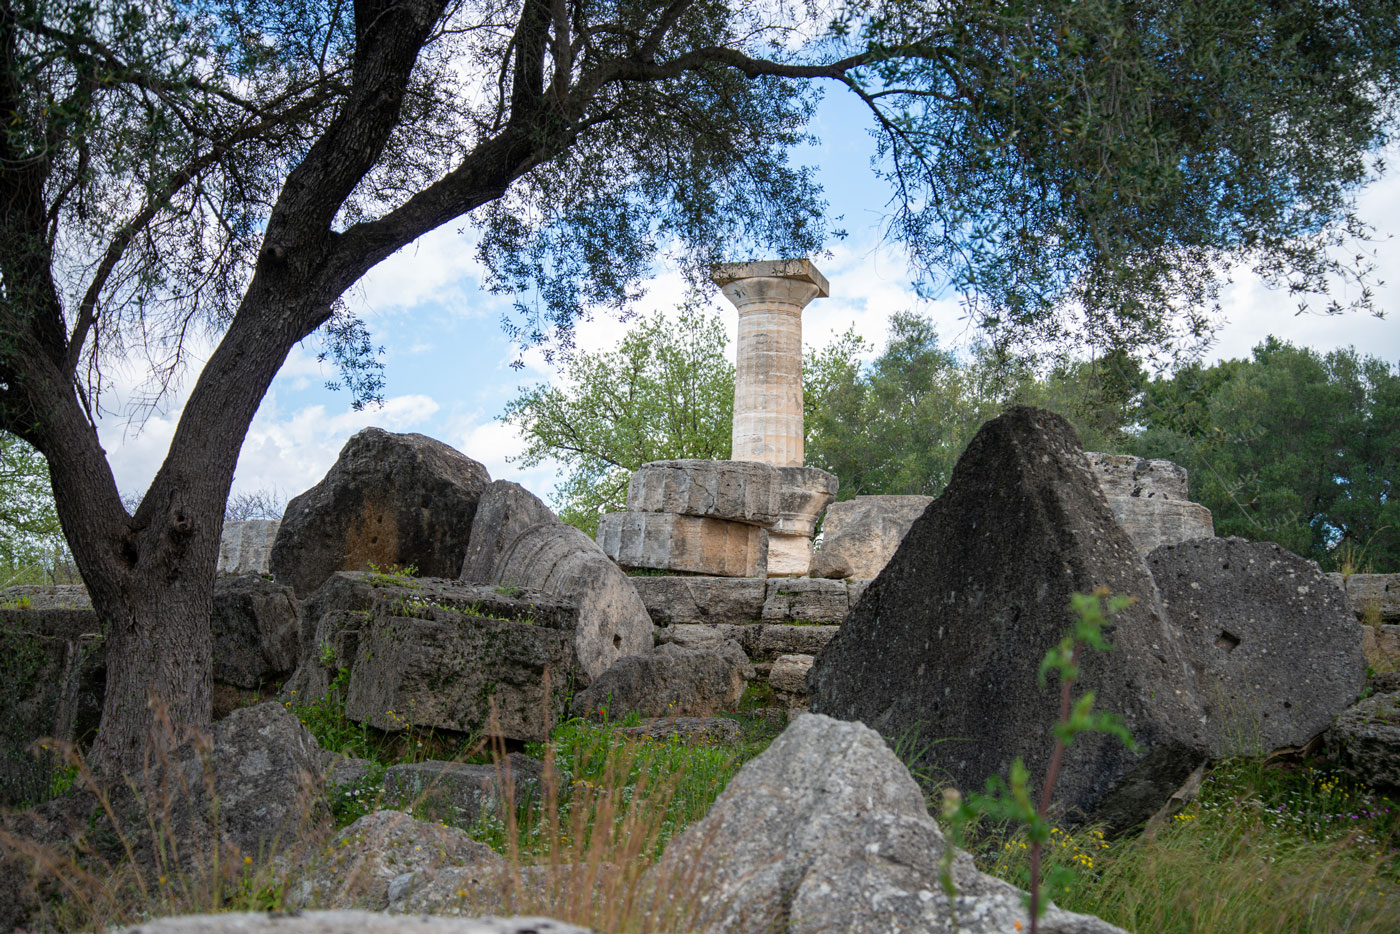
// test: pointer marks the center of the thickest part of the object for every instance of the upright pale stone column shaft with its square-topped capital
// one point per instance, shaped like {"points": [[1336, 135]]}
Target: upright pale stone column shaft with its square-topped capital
{"points": [[768, 391]]}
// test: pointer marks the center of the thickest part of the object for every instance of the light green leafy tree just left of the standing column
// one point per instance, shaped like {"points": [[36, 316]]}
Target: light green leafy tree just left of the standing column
{"points": [[666, 393]]}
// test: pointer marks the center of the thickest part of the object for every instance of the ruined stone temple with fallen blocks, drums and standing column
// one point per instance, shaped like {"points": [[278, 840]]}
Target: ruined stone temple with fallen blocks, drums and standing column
{"points": [[925, 620]]}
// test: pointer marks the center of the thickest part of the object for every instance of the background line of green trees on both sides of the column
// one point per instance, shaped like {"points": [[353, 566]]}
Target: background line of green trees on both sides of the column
{"points": [[1289, 446]]}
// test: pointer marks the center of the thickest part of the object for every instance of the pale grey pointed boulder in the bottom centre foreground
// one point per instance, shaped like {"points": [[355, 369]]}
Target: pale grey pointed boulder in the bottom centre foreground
{"points": [[827, 831]]}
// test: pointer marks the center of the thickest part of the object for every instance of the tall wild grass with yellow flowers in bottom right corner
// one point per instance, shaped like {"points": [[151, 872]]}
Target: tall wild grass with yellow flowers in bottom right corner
{"points": [[1262, 849]]}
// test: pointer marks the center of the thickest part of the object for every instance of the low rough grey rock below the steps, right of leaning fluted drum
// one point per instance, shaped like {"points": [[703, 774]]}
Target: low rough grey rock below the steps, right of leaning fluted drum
{"points": [[671, 683]]}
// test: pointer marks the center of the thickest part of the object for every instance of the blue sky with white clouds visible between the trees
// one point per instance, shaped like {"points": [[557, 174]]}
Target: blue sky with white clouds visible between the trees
{"points": [[447, 359]]}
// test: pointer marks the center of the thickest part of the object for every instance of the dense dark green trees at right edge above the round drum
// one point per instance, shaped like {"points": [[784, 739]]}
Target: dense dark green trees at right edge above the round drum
{"points": [[1290, 446]]}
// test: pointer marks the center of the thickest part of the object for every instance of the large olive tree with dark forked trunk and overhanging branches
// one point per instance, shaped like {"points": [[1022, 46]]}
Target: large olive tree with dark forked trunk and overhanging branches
{"points": [[171, 167]]}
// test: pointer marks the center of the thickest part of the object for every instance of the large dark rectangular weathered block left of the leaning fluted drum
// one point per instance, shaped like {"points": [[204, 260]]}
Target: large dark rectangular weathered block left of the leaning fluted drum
{"points": [[456, 671]]}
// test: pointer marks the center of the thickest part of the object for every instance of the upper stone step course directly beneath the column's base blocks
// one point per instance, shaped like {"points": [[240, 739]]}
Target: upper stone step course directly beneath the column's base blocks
{"points": [[674, 600]]}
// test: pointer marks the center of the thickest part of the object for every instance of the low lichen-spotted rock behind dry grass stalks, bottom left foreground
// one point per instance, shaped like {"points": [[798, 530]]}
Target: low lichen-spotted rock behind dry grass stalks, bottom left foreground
{"points": [[374, 862]]}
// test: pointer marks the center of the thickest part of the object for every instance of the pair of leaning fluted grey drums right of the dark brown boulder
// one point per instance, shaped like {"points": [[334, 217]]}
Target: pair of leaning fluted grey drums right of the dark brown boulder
{"points": [[519, 543]]}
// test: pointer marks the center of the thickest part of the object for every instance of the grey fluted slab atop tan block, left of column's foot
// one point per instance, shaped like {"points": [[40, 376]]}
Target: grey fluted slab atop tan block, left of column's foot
{"points": [[734, 491]]}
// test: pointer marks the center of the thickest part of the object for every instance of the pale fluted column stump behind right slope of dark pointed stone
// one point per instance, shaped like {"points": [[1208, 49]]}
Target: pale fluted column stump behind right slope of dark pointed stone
{"points": [[1149, 499]]}
